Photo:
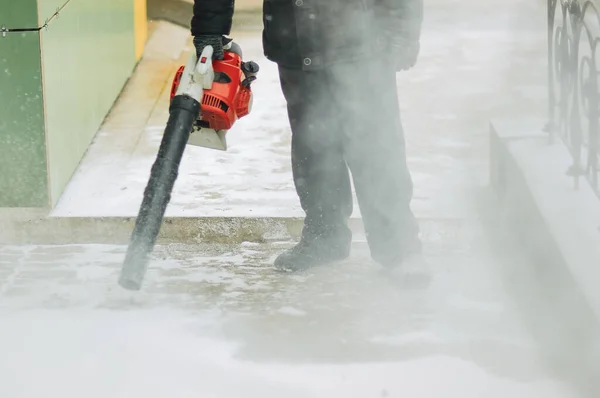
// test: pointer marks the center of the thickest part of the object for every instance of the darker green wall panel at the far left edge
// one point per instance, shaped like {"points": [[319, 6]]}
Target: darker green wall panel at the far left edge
{"points": [[22, 146]]}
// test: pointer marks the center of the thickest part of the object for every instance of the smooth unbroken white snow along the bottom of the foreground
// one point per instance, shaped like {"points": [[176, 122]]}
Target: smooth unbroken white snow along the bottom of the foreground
{"points": [[129, 354]]}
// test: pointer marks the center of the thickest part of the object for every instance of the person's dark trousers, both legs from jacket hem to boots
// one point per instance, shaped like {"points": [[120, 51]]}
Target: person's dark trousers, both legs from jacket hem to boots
{"points": [[343, 118]]}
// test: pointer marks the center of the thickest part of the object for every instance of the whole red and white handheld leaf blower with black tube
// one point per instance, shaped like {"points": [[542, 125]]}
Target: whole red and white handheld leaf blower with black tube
{"points": [[207, 98]]}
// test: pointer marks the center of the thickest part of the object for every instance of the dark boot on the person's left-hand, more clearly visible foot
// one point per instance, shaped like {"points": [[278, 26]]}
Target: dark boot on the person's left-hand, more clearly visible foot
{"points": [[316, 249]]}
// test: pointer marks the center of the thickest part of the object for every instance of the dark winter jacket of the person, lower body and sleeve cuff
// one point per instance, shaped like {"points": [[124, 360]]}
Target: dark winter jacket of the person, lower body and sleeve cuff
{"points": [[311, 34]]}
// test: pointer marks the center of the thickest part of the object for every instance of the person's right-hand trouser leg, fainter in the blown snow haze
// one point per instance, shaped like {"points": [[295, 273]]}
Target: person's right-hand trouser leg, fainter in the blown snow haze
{"points": [[366, 95]]}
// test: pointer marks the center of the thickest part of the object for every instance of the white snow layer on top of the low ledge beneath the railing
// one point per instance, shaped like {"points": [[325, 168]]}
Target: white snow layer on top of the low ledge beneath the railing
{"points": [[572, 215]]}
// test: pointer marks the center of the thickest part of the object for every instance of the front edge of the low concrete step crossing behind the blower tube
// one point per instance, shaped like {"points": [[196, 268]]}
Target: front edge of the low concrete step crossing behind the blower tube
{"points": [[34, 227]]}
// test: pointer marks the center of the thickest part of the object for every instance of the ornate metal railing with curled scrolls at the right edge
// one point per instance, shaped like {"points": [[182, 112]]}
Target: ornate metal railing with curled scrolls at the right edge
{"points": [[573, 81]]}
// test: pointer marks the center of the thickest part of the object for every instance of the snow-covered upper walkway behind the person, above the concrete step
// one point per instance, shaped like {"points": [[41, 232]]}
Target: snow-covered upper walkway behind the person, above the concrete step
{"points": [[458, 86]]}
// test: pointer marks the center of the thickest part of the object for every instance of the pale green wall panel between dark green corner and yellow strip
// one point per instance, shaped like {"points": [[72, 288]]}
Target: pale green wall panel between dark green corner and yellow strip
{"points": [[88, 53]]}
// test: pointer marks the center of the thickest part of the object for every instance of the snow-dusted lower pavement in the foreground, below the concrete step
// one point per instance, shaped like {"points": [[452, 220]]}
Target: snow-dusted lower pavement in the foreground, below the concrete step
{"points": [[217, 320]]}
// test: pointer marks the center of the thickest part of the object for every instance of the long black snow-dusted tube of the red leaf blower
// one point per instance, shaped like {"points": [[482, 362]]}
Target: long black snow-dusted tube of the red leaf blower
{"points": [[183, 112]]}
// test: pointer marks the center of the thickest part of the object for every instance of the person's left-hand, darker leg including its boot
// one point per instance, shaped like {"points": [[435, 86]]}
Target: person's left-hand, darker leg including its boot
{"points": [[320, 172]]}
